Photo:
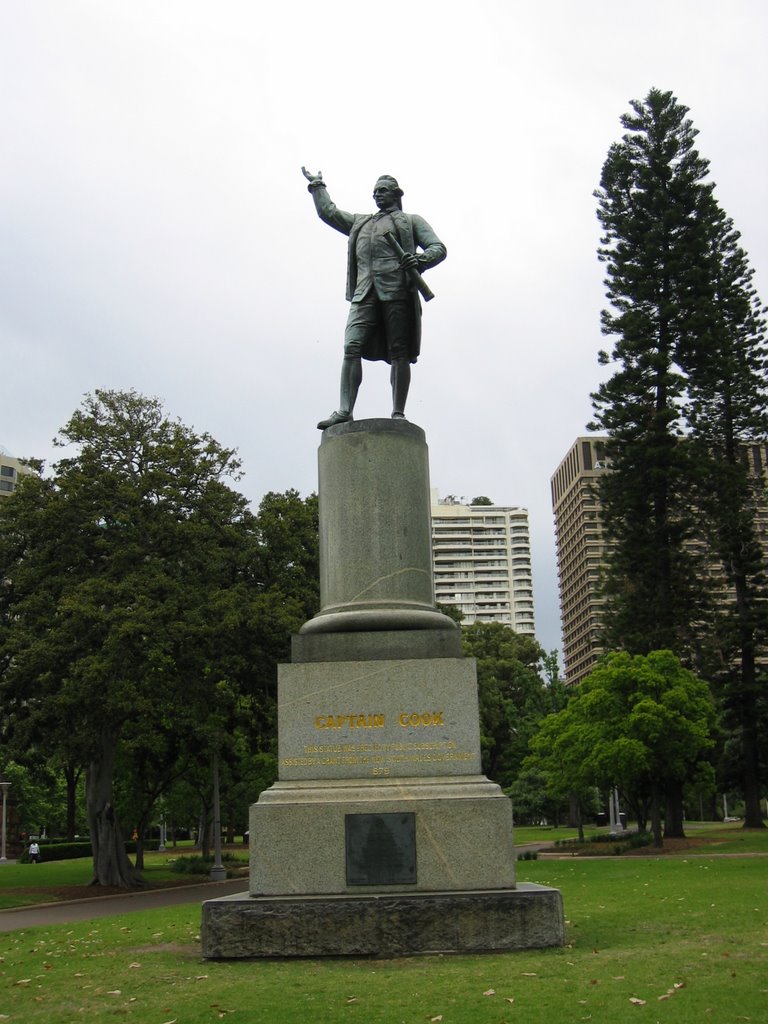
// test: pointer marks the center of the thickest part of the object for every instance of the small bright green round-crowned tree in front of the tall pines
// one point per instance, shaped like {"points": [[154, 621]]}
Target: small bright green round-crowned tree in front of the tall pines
{"points": [[644, 723]]}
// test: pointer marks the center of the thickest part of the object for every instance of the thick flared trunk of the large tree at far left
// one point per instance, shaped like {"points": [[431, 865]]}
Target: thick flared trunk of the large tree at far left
{"points": [[111, 864]]}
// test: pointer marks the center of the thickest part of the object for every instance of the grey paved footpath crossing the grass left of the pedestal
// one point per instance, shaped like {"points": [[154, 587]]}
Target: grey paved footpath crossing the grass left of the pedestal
{"points": [[44, 915]]}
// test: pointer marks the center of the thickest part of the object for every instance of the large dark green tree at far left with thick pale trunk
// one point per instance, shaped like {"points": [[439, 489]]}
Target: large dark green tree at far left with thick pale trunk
{"points": [[114, 571]]}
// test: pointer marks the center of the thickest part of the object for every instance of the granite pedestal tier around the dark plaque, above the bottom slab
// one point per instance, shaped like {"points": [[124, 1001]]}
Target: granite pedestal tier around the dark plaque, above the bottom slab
{"points": [[462, 838]]}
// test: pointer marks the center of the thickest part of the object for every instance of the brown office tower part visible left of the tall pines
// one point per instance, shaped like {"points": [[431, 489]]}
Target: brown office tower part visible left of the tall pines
{"points": [[581, 551]]}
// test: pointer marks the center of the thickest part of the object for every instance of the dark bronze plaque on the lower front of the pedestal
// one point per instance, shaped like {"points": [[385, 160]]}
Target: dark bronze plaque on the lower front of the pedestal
{"points": [[381, 849]]}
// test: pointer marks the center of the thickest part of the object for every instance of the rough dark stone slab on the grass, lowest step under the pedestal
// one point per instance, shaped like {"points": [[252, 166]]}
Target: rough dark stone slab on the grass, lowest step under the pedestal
{"points": [[244, 927]]}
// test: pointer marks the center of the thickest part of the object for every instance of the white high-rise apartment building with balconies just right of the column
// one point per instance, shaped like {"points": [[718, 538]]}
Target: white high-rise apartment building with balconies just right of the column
{"points": [[482, 560]]}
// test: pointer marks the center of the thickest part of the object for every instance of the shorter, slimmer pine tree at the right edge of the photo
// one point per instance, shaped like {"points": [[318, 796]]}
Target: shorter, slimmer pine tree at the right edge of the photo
{"points": [[728, 416]]}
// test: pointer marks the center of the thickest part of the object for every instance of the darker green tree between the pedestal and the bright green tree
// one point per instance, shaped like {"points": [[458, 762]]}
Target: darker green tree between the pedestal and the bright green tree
{"points": [[513, 696]]}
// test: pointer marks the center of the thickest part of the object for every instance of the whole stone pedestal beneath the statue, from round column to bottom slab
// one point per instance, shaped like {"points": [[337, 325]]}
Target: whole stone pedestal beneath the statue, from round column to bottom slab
{"points": [[381, 836]]}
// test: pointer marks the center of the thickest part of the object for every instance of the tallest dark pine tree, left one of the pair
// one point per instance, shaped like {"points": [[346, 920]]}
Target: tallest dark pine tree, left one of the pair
{"points": [[654, 245]]}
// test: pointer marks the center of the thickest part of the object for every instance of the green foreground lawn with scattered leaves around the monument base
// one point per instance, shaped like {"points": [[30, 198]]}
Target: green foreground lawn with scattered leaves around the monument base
{"points": [[671, 941]]}
